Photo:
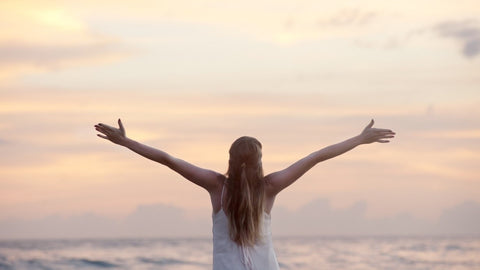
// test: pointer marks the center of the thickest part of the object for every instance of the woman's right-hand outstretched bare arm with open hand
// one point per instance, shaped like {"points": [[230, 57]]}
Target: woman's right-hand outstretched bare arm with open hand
{"points": [[277, 181]]}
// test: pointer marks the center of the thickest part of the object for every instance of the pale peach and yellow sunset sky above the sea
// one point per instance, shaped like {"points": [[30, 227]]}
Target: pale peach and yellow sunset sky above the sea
{"points": [[189, 77]]}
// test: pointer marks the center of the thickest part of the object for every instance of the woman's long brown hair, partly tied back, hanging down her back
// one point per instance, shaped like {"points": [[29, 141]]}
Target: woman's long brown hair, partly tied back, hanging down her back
{"points": [[245, 189]]}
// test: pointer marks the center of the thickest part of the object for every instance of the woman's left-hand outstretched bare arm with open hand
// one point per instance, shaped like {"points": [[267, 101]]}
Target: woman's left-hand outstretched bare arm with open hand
{"points": [[205, 178]]}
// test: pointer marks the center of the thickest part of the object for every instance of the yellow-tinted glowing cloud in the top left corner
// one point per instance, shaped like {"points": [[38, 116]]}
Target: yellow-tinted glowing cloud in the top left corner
{"points": [[36, 37]]}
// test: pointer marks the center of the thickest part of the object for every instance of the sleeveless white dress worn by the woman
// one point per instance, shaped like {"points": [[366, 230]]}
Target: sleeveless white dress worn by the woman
{"points": [[227, 255]]}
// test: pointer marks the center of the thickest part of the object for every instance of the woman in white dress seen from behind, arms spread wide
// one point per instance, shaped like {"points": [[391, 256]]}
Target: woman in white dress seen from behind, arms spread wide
{"points": [[243, 198]]}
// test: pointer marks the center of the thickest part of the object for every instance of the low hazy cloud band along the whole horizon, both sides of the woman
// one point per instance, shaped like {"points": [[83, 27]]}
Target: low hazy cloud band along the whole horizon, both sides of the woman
{"points": [[315, 218]]}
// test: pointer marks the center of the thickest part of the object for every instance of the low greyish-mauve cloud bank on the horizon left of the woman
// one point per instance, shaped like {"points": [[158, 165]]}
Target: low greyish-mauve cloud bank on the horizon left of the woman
{"points": [[146, 221]]}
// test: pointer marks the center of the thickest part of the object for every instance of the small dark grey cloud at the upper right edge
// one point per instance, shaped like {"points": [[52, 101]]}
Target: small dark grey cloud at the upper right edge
{"points": [[467, 33]]}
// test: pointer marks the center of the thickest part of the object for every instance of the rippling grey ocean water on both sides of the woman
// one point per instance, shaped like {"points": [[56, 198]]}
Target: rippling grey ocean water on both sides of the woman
{"points": [[300, 253]]}
